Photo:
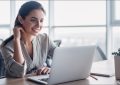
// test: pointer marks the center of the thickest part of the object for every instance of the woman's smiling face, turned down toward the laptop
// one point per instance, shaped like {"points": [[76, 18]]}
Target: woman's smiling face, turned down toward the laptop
{"points": [[33, 22]]}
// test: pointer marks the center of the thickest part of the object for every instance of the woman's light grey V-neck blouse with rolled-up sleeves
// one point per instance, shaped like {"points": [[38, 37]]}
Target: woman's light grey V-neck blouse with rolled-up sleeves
{"points": [[42, 47]]}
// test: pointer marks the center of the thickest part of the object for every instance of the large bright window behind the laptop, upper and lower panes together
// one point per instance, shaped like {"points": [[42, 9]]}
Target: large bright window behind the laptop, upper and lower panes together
{"points": [[80, 22]]}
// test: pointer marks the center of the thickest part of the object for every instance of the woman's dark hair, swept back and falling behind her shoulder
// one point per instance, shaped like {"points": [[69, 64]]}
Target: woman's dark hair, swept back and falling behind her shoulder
{"points": [[24, 11]]}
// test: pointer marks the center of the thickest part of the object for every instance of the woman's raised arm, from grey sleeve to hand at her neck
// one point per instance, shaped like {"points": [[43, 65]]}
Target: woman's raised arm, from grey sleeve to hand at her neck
{"points": [[12, 53]]}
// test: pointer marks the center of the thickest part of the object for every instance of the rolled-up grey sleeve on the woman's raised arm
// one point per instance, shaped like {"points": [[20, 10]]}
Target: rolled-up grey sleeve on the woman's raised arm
{"points": [[13, 68]]}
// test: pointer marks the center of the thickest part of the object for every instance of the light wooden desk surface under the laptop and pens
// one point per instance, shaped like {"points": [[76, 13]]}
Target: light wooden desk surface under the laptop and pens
{"points": [[101, 66]]}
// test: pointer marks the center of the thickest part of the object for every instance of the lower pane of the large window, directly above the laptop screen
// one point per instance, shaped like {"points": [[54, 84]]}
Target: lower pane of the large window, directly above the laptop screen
{"points": [[81, 36]]}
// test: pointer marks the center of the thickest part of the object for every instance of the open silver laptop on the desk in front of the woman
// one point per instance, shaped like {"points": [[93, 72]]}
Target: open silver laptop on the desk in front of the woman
{"points": [[69, 64]]}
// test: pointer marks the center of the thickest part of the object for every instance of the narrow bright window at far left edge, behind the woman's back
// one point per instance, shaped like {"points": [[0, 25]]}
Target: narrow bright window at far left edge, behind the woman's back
{"points": [[4, 19]]}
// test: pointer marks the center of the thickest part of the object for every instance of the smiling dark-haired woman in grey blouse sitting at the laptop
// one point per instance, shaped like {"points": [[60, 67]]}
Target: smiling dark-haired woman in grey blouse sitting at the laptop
{"points": [[26, 51]]}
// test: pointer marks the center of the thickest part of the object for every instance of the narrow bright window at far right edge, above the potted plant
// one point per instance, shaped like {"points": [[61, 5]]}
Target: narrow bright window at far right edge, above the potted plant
{"points": [[116, 26]]}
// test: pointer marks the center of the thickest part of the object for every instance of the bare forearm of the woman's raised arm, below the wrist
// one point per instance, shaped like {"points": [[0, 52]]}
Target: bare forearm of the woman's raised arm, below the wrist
{"points": [[18, 56]]}
